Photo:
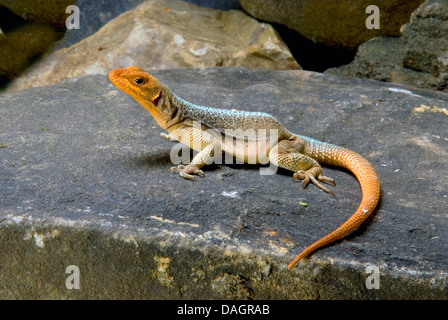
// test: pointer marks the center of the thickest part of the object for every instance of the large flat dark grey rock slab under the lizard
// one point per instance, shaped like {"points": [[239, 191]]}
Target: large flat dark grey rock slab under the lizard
{"points": [[84, 181]]}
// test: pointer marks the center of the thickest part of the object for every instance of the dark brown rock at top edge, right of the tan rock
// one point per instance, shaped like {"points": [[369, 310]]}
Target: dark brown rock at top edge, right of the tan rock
{"points": [[333, 23]]}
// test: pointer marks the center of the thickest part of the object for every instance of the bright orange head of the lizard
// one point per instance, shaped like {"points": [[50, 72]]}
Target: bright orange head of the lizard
{"points": [[139, 84]]}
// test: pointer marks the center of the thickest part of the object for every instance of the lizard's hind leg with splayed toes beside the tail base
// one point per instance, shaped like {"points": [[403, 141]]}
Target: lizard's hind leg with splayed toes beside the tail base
{"points": [[286, 154]]}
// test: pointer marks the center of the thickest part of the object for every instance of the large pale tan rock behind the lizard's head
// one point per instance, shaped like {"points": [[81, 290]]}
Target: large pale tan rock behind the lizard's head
{"points": [[166, 34]]}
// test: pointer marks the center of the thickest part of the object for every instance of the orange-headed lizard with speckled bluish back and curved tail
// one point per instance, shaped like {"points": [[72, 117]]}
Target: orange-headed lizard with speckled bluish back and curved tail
{"points": [[299, 154]]}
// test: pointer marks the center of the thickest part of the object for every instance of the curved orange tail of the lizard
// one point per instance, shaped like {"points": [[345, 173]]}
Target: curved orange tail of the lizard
{"points": [[367, 177]]}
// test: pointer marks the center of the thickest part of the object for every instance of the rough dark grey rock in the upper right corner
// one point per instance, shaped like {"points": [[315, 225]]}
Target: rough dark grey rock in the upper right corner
{"points": [[418, 58]]}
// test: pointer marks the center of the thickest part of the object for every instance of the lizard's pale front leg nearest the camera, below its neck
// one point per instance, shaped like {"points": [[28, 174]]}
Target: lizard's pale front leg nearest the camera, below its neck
{"points": [[197, 140]]}
